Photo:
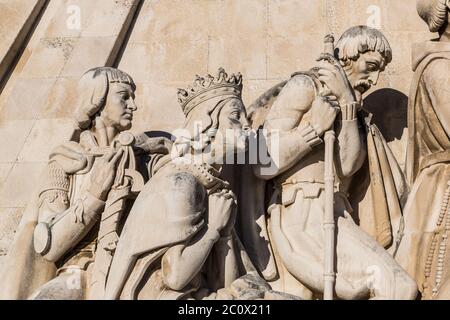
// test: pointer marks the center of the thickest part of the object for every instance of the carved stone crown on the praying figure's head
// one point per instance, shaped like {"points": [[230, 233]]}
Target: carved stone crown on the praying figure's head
{"points": [[209, 87]]}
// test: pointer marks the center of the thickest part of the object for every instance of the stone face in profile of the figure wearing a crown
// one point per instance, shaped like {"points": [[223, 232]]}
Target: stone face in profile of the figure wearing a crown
{"points": [[233, 126]]}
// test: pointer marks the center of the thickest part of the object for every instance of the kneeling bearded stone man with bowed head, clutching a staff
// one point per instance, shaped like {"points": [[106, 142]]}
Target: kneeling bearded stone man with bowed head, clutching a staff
{"points": [[368, 180]]}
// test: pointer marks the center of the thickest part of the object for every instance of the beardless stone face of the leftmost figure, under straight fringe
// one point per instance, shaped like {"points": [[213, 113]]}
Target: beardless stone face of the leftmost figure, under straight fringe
{"points": [[119, 106]]}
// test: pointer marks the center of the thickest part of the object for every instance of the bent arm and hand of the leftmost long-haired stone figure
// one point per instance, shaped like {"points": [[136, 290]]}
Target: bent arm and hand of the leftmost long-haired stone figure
{"points": [[62, 225]]}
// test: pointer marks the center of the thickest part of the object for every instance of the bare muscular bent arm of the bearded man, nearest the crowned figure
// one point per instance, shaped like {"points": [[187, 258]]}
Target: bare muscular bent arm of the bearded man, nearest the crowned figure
{"points": [[288, 137]]}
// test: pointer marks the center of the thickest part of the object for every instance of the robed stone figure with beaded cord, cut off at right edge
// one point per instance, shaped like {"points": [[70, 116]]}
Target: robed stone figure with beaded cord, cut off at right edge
{"points": [[424, 249]]}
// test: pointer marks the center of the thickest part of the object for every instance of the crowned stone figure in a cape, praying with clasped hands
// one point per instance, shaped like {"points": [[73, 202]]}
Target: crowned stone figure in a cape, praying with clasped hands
{"points": [[179, 240]]}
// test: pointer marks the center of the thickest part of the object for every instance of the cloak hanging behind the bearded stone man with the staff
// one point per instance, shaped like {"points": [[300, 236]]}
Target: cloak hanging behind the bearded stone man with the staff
{"points": [[377, 194]]}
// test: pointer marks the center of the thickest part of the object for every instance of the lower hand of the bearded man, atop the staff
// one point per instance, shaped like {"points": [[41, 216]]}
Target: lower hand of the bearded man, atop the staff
{"points": [[323, 114]]}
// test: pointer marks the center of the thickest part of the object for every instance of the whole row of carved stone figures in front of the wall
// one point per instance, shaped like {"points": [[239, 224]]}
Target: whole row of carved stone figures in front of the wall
{"points": [[119, 216]]}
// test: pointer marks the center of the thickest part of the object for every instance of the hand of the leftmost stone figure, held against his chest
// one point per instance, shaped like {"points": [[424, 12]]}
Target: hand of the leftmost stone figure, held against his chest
{"points": [[104, 173]]}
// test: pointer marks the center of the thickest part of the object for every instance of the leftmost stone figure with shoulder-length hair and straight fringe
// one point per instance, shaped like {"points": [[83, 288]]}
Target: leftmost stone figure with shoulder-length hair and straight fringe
{"points": [[68, 234]]}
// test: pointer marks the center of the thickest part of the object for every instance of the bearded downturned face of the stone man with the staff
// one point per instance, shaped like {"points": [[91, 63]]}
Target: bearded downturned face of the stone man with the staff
{"points": [[364, 72]]}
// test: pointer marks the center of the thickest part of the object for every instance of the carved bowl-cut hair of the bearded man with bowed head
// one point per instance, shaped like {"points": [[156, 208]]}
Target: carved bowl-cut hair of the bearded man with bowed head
{"points": [[361, 39]]}
